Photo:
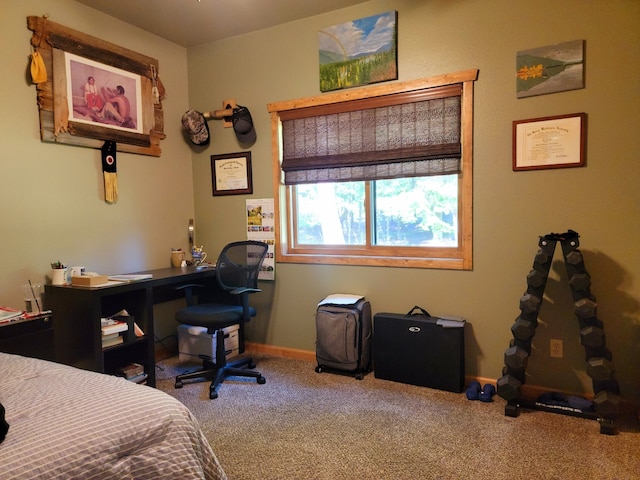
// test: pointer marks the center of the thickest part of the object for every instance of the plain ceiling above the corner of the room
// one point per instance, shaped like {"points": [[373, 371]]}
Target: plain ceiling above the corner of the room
{"points": [[193, 22]]}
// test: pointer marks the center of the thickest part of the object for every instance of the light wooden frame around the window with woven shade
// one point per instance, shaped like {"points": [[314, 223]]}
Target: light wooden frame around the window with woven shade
{"points": [[460, 258]]}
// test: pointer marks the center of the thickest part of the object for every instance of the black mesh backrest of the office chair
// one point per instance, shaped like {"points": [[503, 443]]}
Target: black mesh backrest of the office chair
{"points": [[239, 264]]}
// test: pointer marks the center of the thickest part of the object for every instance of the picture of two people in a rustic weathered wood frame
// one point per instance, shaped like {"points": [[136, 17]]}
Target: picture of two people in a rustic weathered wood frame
{"points": [[96, 91]]}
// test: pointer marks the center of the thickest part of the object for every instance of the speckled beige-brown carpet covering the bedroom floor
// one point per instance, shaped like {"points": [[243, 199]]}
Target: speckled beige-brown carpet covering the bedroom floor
{"points": [[302, 425]]}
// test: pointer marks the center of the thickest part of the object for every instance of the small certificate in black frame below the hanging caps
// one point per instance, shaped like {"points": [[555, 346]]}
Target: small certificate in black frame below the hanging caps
{"points": [[231, 174]]}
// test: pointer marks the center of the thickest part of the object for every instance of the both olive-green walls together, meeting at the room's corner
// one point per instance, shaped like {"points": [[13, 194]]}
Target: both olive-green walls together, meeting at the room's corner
{"points": [[53, 207]]}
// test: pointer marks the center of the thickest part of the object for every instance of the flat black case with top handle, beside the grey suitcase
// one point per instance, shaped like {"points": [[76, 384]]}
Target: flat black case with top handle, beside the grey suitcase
{"points": [[419, 349]]}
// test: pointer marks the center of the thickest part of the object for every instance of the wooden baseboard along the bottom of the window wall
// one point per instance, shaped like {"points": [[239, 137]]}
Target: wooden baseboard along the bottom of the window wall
{"points": [[528, 391]]}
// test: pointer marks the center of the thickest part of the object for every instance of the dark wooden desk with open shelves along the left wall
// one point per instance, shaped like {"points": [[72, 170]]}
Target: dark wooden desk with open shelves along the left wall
{"points": [[78, 310]]}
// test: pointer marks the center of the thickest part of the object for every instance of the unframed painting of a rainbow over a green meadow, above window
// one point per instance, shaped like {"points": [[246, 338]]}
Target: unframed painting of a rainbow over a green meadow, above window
{"points": [[359, 52]]}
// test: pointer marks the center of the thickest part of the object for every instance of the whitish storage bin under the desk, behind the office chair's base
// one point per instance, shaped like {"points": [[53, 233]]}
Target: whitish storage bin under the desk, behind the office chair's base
{"points": [[195, 341]]}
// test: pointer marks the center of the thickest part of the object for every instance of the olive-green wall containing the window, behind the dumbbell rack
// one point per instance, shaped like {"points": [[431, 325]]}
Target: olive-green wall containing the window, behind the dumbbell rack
{"points": [[511, 209]]}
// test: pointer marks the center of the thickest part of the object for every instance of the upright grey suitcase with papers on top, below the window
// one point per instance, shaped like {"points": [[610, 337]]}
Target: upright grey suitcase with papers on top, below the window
{"points": [[343, 335]]}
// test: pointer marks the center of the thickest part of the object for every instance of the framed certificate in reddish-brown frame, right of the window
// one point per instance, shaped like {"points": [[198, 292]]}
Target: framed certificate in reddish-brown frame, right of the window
{"points": [[549, 142]]}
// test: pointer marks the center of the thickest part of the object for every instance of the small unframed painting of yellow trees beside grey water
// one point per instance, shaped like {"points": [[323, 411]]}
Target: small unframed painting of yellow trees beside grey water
{"points": [[551, 69]]}
